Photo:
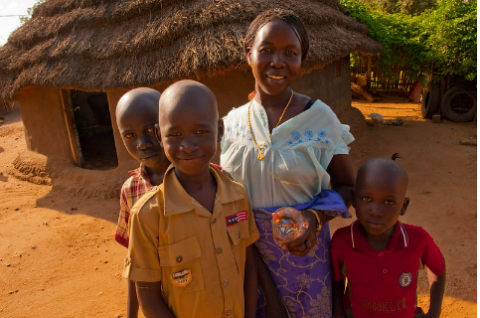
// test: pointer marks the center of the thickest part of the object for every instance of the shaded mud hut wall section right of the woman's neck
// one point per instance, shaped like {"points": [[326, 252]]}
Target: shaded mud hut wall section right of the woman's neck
{"points": [[325, 84]]}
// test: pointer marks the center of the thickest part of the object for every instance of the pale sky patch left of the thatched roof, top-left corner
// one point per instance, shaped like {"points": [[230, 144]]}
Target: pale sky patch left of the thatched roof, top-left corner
{"points": [[9, 8]]}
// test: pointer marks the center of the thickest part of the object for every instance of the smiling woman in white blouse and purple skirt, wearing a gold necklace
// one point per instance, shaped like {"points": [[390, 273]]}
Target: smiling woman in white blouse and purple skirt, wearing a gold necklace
{"points": [[286, 149]]}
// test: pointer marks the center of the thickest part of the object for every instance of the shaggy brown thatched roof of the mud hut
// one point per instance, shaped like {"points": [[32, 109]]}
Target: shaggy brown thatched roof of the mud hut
{"points": [[97, 45]]}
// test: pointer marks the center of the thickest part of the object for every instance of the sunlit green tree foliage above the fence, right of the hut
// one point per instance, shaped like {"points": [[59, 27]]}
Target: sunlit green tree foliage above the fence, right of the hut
{"points": [[444, 36]]}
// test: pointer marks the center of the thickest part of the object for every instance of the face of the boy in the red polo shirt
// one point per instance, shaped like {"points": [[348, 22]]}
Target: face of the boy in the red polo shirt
{"points": [[379, 201]]}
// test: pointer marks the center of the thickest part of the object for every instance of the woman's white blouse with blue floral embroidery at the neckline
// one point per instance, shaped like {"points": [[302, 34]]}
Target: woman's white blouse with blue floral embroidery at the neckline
{"points": [[296, 156]]}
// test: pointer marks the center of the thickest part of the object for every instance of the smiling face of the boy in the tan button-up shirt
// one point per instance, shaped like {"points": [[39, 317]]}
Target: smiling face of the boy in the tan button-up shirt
{"points": [[189, 133]]}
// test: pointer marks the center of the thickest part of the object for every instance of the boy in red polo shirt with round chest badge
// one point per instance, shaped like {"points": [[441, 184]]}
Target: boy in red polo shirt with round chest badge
{"points": [[379, 256]]}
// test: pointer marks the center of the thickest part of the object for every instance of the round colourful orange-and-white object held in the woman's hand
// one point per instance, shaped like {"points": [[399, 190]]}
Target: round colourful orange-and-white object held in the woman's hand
{"points": [[287, 224]]}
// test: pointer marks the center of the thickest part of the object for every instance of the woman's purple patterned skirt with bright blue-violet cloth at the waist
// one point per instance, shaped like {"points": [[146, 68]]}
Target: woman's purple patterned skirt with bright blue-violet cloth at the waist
{"points": [[304, 282]]}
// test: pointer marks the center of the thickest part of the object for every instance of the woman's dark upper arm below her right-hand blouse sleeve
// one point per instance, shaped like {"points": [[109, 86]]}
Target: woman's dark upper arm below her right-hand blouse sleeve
{"points": [[342, 177]]}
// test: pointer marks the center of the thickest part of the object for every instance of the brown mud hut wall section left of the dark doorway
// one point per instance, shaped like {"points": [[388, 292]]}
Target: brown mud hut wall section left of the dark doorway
{"points": [[43, 119]]}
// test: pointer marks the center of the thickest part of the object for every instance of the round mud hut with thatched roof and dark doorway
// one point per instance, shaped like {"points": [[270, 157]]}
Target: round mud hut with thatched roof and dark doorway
{"points": [[72, 61]]}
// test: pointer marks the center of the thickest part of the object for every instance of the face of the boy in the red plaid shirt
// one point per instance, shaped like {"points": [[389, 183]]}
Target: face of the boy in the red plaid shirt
{"points": [[137, 128]]}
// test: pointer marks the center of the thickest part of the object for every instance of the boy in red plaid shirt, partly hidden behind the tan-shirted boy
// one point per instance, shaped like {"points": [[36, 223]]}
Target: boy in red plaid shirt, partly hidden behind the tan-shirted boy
{"points": [[137, 114]]}
